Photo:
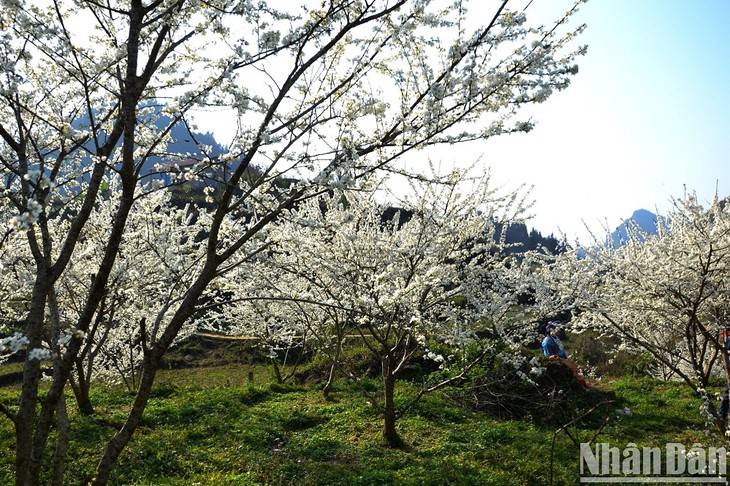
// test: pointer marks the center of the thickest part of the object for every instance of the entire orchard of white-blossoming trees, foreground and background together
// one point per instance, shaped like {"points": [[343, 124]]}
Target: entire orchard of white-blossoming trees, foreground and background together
{"points": [[102, 272]]}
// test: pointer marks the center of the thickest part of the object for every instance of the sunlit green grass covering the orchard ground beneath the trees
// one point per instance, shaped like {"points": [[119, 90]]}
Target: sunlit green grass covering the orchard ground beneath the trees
{"points": [[210, 427]]}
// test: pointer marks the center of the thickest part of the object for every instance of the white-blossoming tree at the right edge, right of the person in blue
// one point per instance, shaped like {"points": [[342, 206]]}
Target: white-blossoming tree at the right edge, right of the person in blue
{"points": [[666, 295]]}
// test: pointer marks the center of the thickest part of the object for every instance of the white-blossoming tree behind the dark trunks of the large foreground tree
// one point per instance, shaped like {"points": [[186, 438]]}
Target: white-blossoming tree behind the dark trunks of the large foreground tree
{"points": [[158, 257]]}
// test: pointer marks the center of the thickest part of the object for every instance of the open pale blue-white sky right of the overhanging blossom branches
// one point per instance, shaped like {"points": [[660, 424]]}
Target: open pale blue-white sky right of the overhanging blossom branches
{"points": [[647, 115]]}
